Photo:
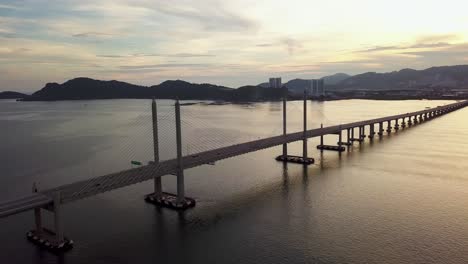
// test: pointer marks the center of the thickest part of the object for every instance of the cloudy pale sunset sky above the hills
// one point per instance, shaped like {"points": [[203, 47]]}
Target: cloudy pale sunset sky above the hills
{"points": [[228, 42]]}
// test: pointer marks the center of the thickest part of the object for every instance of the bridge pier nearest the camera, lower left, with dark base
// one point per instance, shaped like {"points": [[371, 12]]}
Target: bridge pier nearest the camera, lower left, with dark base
{"points": [[45, 238]]}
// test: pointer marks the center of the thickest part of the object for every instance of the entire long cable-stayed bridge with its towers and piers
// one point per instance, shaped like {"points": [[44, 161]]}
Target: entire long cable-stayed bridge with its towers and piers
{"points": [[53, 199]]}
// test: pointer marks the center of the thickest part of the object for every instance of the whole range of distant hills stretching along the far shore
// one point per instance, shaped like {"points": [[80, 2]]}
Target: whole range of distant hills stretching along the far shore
{"points": [[443, 78]]}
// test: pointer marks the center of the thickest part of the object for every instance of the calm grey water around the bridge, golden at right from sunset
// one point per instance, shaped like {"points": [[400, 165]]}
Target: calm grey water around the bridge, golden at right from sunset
{"points": [[402, 199]]}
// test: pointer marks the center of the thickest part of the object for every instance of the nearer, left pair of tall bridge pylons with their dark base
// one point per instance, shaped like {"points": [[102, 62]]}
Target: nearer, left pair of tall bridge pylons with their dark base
{"points": [[179, 201]]}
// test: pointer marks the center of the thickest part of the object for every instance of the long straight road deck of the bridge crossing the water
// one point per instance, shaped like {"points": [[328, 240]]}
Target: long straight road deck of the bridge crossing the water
{"points": [[82, 189]]}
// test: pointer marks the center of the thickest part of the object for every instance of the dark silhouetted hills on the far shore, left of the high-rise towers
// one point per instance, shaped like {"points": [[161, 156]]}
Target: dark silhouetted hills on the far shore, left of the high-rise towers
{"points": [[86, 88]]}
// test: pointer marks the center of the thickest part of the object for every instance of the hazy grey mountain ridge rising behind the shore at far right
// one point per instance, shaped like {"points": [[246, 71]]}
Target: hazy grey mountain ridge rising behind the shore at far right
{"points": [[409, 79]]}
